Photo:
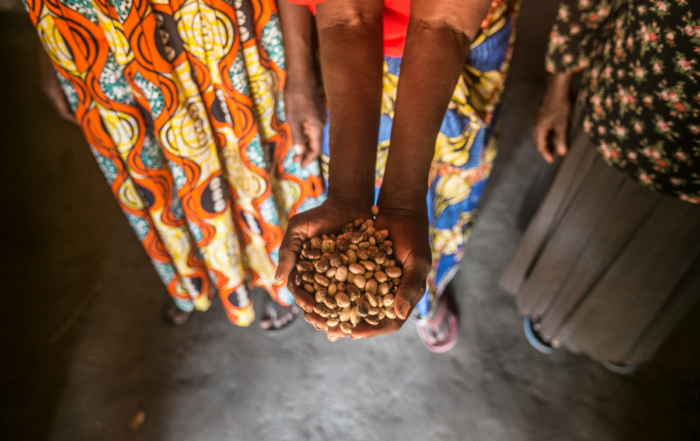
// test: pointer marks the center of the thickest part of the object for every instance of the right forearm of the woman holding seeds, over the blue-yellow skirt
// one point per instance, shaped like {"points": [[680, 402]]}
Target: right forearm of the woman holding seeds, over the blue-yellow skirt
{"points": [[433, 60]]}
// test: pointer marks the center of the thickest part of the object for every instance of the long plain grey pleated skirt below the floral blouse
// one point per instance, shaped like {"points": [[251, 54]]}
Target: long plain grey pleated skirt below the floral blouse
{"points": [[609, 266]]}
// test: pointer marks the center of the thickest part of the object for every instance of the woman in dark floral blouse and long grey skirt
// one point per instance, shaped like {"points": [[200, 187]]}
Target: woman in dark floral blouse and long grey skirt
{"points": [[611, 260]]}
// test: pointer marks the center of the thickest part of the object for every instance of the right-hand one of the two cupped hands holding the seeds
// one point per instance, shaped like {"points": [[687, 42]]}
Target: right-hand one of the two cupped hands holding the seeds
{"points": [[408, 230]]}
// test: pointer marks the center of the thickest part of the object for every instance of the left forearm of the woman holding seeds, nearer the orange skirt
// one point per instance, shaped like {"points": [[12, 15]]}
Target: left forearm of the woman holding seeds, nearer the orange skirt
{"points": [[350, 37]]}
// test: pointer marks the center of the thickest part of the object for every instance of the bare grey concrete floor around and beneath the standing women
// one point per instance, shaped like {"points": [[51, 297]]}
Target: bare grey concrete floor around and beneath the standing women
{"points": [[70, 258]]}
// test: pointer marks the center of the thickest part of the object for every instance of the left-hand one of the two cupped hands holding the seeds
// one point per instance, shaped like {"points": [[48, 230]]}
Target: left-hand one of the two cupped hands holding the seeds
{"points": [[328, 218]]}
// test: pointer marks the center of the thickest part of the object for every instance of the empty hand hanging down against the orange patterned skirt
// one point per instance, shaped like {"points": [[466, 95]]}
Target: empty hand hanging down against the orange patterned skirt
{"points": [[305, 114]]}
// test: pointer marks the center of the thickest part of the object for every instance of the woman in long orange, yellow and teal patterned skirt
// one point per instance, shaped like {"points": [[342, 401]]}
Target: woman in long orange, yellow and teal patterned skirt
{"points": [[179, 103]]}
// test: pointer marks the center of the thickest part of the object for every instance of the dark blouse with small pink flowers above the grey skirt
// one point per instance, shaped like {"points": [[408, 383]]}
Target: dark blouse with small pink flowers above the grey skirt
{"points": [[640, 81]]}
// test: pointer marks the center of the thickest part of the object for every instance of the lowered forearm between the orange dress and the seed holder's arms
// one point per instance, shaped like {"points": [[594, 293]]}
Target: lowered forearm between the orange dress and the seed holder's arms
{"points": [[297, 28]]}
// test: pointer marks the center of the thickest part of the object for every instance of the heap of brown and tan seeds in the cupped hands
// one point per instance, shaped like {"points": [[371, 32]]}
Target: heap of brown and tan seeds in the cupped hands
{"points": [[351, 275]]}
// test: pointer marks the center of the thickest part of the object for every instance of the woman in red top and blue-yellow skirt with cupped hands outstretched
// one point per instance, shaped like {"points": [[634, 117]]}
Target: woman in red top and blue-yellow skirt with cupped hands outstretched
{"points": [[422, 148]]}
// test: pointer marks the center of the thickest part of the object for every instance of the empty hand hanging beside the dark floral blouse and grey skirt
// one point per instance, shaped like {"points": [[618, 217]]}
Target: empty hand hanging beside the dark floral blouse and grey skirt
{"points": [[552, 116]]}
